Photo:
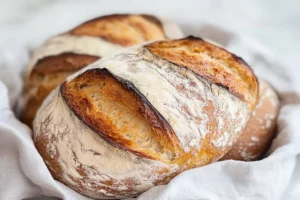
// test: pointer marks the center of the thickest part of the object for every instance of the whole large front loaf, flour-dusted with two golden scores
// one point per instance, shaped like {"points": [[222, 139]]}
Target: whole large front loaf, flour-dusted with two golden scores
{"points": [[135, 120]]}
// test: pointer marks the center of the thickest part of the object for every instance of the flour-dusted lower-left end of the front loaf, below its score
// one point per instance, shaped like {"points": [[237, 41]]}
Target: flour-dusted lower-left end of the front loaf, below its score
{"points": [[76, 156]]}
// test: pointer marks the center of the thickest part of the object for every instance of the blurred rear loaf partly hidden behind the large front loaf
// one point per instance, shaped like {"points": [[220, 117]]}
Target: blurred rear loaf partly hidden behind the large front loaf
{"points": [[65, 54]]}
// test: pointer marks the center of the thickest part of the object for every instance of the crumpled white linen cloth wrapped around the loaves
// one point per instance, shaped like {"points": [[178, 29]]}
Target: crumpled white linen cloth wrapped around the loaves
{"points": [[23, 173]]}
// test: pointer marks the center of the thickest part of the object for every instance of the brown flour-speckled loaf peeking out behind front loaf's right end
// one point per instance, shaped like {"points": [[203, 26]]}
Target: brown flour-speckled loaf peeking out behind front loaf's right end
{"points": [[260, 129]]}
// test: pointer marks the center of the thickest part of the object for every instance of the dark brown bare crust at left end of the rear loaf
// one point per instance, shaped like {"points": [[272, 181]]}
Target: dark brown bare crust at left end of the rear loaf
{"points": [[47, 75]]}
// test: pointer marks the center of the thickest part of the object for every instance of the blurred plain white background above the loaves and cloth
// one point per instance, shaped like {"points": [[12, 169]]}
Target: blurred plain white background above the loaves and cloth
{"points": [[274, 23]]}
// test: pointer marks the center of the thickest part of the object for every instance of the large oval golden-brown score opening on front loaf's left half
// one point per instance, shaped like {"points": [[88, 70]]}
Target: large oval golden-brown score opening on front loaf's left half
{"points": [[94, 95]]}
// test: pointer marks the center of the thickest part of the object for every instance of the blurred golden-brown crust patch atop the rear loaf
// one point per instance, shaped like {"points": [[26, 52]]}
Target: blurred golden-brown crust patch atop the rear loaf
{"points": [[123, 29]]}
